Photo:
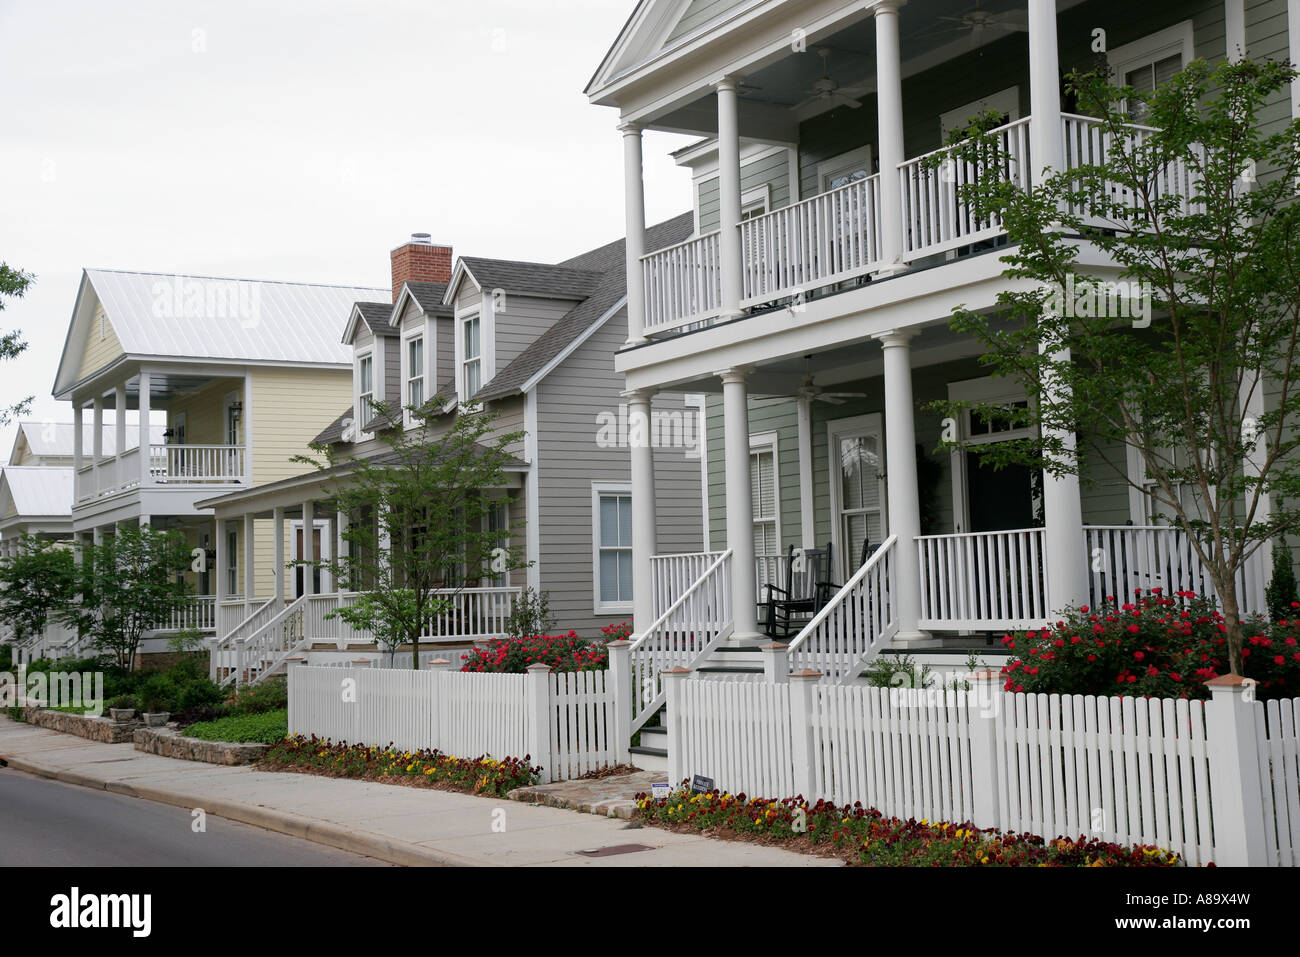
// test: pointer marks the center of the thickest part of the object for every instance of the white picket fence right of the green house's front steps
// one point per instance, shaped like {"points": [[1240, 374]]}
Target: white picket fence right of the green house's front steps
{"points": [[1211, 781]]}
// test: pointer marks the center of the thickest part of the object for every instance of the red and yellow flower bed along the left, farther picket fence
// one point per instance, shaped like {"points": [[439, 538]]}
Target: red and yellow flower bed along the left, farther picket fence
{"points": [[426, 768]]}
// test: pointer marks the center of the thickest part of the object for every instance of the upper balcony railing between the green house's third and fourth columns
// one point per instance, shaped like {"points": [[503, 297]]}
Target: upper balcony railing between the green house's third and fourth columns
{"points": [[935, 220]]}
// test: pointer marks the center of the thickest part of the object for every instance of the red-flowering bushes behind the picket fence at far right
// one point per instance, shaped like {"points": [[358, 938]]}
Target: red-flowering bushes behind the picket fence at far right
{"points": [[1155, 646]]}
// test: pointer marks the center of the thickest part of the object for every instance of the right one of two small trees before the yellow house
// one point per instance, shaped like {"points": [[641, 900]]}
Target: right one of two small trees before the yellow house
{"points": [[132, 583]]}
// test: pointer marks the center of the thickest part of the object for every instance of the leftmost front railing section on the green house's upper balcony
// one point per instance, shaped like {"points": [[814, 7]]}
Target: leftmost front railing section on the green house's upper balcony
{"points": [[682, 284]]}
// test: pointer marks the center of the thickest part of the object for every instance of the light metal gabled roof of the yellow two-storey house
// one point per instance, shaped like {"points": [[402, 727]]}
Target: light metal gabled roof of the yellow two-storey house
{"points": [[203, 318]]}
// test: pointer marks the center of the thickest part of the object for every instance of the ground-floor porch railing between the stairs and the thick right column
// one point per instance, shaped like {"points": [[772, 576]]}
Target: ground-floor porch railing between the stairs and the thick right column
{"points": [[981, 581]]}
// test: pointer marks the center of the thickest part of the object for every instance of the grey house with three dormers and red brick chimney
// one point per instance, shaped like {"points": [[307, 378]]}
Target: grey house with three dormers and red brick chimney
{"points": [[535, 344]]}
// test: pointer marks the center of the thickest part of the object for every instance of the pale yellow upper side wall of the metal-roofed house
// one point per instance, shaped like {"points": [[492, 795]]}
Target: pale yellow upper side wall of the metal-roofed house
{"points": [[291, 409]]}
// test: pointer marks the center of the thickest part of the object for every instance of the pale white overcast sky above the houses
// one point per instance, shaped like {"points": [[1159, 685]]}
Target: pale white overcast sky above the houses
{"points": [[298, 141]]}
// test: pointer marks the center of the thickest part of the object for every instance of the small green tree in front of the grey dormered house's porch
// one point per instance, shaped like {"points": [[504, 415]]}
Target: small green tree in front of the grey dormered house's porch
{"points": [[419, 529]]}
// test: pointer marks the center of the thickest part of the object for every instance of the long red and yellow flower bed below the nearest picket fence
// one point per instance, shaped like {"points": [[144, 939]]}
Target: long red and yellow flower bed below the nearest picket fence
{"points": [[866, 837]]}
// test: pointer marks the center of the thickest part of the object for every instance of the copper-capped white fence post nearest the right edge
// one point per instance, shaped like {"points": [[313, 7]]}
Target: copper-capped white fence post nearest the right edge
{"points": [[1237, 799]]}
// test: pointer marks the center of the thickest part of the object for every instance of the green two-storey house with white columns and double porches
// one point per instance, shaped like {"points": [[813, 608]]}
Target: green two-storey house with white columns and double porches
{"points": [[811, 305]]}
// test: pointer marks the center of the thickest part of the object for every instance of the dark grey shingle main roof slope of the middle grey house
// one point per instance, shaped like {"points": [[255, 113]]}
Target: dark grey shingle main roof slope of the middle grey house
{"points": [[605, 296]]}
